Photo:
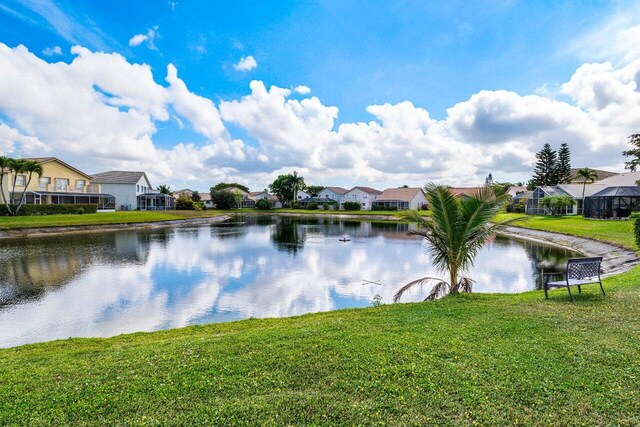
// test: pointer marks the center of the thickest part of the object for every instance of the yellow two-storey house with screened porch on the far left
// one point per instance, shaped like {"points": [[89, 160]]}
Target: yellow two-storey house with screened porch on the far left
{"points": [[60, 183]]}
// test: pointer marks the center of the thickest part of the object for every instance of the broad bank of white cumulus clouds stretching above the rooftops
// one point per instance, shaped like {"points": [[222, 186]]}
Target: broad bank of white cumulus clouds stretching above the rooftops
{"points": [[101, 111]]}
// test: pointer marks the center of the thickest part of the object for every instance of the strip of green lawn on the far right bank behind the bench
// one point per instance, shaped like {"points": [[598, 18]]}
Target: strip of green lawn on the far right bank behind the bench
{"points": [[618, 232]]}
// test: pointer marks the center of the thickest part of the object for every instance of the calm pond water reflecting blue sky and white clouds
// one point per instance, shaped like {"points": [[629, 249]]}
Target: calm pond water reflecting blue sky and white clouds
{"points": [[107, 284]]}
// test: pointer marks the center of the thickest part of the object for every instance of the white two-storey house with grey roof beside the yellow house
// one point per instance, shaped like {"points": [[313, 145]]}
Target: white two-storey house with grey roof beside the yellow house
{"points": [[125, 186]]}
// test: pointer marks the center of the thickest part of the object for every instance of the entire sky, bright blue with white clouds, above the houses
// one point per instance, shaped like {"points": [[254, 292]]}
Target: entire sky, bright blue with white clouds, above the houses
{"points": [[347, 93]]}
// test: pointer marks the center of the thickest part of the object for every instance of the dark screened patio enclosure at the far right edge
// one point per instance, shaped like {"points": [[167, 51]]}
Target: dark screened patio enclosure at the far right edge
{"points": [[613, 202]]}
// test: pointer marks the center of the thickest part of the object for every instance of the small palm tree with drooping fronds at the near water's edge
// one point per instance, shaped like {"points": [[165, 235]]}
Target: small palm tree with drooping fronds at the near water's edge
{"points": [[456, 230]]}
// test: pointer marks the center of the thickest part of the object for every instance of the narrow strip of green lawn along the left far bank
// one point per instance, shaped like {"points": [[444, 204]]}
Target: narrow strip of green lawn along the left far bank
{"points": [[98, 218]]}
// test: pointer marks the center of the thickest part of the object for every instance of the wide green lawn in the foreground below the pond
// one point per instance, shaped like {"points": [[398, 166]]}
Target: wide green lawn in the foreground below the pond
{"points": [[485, 359]]}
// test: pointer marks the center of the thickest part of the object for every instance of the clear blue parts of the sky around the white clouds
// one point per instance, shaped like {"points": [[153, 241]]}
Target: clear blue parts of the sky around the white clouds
{"points": [[352, 54]]}
